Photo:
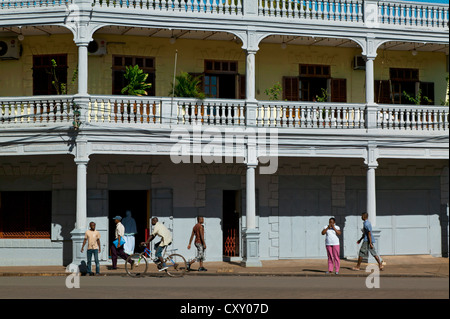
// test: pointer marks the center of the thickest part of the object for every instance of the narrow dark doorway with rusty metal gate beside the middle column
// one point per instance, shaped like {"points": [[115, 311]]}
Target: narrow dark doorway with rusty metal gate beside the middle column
{"points": [[231, 231]]}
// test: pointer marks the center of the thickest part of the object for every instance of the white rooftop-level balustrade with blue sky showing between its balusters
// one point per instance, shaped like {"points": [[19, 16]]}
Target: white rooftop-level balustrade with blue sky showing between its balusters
{"points": [[389, 13]]}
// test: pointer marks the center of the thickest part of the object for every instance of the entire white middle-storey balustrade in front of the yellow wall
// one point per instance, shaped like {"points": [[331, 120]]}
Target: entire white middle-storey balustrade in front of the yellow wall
{"points": [[151, 111]]}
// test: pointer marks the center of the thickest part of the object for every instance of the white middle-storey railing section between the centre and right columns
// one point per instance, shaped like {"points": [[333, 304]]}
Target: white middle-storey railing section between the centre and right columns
{"points": [[311, 115]]}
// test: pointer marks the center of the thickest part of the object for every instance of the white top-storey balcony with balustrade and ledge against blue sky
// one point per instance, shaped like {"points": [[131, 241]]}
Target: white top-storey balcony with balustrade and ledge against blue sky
{"points": [[369, 14]]}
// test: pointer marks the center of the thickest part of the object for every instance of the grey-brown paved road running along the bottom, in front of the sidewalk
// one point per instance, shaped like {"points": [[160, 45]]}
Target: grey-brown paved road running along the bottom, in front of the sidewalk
{"points": [[223, 287]]}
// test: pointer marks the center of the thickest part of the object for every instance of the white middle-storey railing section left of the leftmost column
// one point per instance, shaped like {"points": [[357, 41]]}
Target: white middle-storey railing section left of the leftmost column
{"points": [[36, 109]]}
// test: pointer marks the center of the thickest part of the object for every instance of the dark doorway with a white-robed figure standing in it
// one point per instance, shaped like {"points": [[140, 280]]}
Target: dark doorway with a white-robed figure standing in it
{"points": [[137, 201]]}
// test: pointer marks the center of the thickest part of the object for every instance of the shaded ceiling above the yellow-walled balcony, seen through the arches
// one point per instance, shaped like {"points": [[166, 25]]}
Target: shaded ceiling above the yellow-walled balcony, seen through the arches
{"points": [[222, 36]]}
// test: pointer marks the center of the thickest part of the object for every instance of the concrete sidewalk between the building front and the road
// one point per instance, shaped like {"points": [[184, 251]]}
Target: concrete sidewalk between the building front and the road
{"points": [[396, 266]]}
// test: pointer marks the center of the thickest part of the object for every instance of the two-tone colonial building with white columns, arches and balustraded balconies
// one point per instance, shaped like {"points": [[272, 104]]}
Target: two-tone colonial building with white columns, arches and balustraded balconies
{"points": [[313, 109]]}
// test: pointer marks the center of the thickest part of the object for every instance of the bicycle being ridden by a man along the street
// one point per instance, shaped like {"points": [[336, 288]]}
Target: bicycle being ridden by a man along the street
{"points": [[137, 264]]}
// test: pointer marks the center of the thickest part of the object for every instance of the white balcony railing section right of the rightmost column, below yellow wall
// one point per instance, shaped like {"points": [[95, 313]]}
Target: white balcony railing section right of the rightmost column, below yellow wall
{"points": [[407, 117]]}
